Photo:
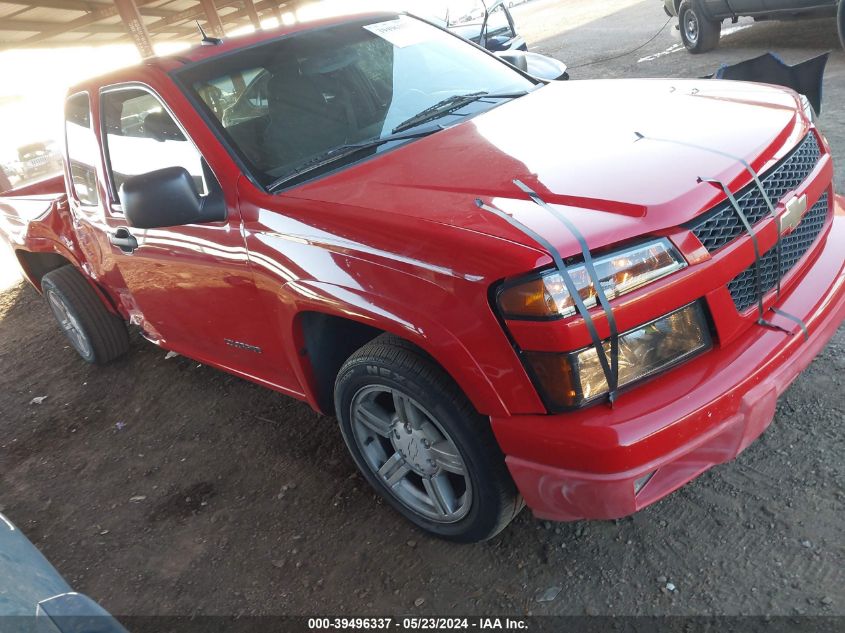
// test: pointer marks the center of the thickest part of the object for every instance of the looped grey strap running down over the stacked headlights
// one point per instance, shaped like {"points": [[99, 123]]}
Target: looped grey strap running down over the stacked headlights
{"points": [[610, 367]]}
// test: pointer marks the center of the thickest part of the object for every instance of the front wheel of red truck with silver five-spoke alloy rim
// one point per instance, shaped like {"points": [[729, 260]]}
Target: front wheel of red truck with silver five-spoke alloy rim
{"points": [[418, 441]]}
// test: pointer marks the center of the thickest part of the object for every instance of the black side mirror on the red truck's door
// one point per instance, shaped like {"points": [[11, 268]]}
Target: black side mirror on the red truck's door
{"points": [[169, 197]]}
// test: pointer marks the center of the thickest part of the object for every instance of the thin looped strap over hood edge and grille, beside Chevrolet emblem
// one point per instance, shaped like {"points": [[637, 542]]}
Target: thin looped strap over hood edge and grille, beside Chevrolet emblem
{"points": [[757, 260]]}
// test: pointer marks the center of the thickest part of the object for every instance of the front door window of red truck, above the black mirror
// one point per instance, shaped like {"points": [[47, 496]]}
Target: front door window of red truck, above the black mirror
{"points": [[141, 137]]}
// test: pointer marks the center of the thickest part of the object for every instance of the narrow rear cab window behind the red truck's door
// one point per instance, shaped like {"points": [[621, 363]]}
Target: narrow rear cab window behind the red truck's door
{"points": [[83, 153]]}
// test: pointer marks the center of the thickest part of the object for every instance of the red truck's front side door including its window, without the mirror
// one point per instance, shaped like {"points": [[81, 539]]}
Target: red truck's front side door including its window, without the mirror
{"points": [[189, 288]]}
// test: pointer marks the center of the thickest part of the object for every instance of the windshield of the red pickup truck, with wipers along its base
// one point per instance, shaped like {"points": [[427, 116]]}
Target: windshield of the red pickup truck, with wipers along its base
{"points": [[285, 104]]}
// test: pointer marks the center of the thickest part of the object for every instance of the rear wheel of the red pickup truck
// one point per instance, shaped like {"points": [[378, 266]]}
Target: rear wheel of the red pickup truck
{"points": [[96, 334]]}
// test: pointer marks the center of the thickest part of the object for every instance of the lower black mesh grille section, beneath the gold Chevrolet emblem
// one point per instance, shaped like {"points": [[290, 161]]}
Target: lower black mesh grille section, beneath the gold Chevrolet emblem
{"points": [[793, 247]]}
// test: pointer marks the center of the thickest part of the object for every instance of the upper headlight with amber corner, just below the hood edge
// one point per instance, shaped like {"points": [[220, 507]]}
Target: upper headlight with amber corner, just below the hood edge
{"points": [[546, 296]]}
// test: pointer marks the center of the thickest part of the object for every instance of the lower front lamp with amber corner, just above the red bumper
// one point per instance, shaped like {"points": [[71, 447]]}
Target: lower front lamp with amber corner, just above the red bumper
{"points": [[575, 379]]}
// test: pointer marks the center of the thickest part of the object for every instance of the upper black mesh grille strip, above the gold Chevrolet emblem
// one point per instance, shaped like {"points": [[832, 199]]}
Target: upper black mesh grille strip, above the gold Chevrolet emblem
{"points": [[722, 225]]}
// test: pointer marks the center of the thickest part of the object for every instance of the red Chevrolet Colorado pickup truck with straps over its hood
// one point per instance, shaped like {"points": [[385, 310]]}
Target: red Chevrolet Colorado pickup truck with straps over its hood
{"points": [[508, 291]]}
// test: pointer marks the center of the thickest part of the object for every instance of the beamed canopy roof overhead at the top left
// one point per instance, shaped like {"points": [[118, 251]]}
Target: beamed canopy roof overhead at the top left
{"points": [[51, 23]]}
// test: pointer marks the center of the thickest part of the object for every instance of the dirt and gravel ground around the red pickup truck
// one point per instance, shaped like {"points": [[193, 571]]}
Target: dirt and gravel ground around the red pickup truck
{"points": [[160, 486]]}
